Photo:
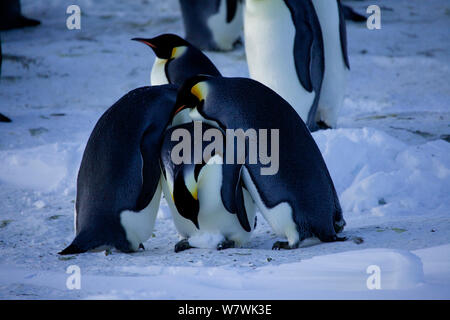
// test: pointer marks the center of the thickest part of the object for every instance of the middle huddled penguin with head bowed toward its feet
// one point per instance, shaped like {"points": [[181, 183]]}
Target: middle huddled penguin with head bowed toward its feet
{"points": [[210, 205]]}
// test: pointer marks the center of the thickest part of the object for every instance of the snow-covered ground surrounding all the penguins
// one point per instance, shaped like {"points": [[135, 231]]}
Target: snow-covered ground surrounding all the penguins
{"points": [[390, 160]]}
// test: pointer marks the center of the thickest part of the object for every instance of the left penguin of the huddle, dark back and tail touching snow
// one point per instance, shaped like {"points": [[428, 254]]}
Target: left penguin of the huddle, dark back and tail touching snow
{"points": [[118, 184]]}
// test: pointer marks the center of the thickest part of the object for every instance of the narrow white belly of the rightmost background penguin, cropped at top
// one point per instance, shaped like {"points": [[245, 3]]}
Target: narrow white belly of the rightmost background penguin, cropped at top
{"points": [[336, 72]]}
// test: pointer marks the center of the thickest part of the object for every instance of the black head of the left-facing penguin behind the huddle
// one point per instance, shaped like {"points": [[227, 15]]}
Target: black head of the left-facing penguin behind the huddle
{"points": [[166, 46]]}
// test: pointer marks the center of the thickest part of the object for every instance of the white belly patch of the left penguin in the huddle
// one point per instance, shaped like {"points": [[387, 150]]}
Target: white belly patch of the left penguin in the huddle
{"points": [[139, 225]]}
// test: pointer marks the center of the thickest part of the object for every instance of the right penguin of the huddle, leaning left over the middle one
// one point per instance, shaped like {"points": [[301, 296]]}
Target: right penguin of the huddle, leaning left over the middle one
{"points": [[299, 200]]}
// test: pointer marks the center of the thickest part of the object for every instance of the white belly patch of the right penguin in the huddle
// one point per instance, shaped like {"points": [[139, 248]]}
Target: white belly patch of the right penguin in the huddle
{"points": [[279, 217]]}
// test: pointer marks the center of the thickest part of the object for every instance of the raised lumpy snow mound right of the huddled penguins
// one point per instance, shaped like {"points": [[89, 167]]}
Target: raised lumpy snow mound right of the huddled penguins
{"points": [[377, 174]]}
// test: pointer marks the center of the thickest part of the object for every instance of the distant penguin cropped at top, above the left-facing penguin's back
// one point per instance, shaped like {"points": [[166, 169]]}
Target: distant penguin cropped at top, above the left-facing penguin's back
{"points": [[212, 24]]}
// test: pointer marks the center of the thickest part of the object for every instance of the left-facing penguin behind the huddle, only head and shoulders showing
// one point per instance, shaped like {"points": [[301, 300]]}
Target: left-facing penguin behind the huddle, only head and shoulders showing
{"points": [[176, 60]]}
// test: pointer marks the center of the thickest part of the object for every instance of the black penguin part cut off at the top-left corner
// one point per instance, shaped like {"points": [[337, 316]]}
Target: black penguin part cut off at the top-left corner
{"points": [[11, 16]]}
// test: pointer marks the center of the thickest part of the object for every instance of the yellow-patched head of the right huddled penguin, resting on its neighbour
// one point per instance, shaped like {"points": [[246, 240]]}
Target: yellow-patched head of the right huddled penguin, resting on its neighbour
{"points": [[192, 93]]}
